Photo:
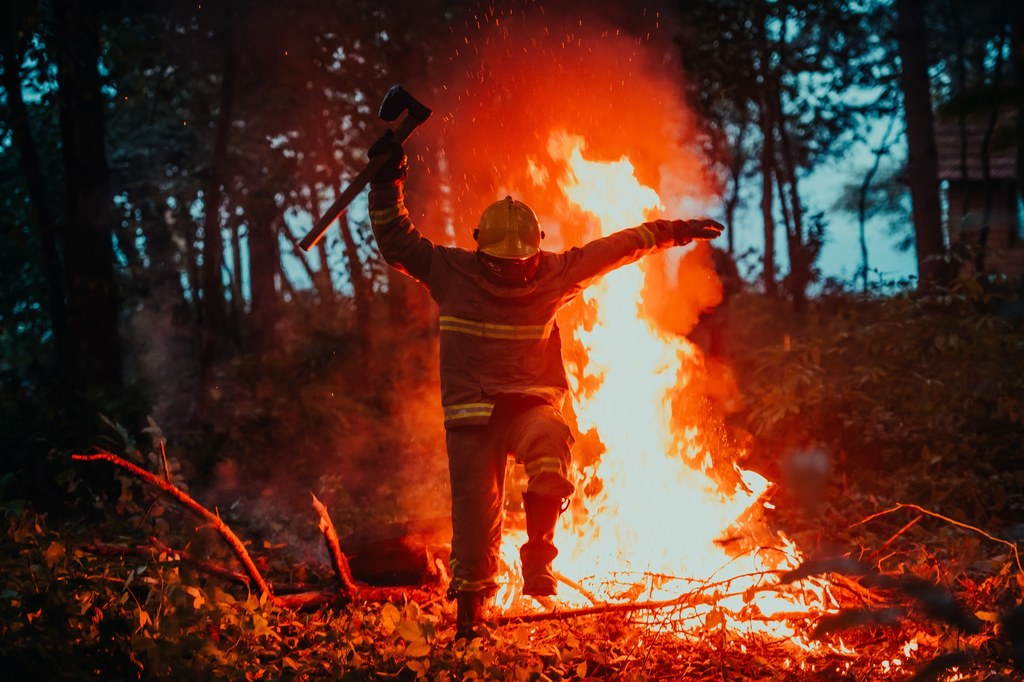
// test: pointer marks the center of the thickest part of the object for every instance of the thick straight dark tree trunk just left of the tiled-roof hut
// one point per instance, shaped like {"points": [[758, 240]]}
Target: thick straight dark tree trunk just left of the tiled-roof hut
{"points": [[923, 166]]}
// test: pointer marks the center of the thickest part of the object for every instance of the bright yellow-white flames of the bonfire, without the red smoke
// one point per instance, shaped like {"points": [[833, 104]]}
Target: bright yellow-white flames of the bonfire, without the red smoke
{"points": [[655, 518]]}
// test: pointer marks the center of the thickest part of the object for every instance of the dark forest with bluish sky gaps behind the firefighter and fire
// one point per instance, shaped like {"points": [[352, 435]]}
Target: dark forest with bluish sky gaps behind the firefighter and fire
{"points": [[160, 161]]}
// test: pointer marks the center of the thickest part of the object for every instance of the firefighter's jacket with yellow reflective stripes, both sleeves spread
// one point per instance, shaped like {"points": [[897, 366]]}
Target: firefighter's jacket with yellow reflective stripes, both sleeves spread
{"points": [[498, 340]]}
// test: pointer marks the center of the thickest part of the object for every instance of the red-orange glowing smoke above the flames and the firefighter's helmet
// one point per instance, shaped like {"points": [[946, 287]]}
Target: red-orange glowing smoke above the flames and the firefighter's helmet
{"points": [[521, 75]]}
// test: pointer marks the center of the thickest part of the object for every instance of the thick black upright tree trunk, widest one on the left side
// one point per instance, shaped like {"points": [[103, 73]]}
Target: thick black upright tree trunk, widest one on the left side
{"points": [[94, 331]]}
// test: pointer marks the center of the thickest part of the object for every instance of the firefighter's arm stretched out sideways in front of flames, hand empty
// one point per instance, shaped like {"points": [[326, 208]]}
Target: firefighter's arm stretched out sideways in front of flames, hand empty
{"points": [[595, 259]]}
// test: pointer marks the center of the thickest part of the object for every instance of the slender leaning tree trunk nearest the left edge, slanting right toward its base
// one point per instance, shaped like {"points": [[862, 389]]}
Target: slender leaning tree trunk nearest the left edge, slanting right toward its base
{"points": [[40, 217]]}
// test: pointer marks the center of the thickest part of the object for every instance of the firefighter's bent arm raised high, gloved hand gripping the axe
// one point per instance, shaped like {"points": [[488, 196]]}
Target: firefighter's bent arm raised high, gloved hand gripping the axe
{"points": [[402, 245]]}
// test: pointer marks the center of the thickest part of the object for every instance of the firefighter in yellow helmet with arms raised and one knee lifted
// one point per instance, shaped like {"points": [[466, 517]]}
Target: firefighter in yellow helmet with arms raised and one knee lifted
{"points": [[503, 381]]}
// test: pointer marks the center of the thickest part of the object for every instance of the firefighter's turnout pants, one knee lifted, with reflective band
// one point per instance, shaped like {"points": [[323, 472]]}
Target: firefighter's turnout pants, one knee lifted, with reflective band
{"points": [[536, 435]]}
